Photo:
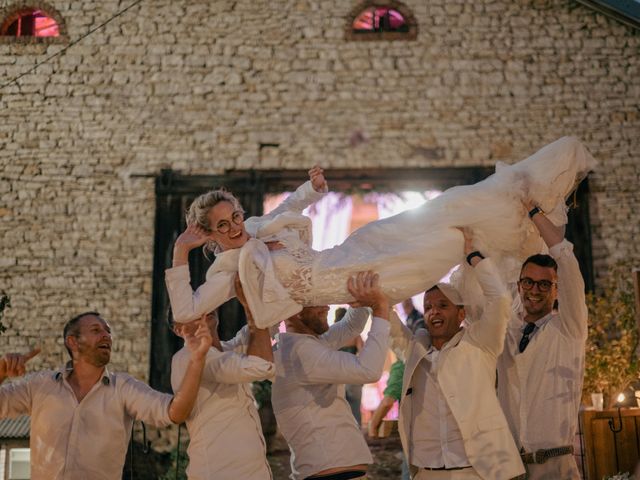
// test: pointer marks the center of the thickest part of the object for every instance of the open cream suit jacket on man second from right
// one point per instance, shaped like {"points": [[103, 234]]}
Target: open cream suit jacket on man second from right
{"points": [[466, 374]]}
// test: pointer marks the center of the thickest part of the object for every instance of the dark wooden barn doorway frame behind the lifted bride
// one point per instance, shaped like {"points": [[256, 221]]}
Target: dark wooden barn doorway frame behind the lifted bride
{"points": [[174, 193]]}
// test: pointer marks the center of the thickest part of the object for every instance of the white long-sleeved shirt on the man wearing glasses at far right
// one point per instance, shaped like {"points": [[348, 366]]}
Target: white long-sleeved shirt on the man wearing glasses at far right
{"points": [[540, 389]]}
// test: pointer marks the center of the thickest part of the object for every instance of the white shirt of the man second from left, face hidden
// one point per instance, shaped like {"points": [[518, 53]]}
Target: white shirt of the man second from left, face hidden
{"points": [[226, 441]]}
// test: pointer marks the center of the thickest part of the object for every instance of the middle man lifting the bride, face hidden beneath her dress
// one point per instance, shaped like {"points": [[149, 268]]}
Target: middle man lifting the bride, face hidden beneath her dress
{"points": [[308, 392]]}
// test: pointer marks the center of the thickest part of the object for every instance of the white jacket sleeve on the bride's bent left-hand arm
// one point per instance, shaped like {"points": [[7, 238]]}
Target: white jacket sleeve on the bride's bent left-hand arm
{"points": [[188, 305]]}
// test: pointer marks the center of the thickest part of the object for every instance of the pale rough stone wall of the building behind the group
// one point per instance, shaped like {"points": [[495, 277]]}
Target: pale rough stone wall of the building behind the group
{"points": [[198, 85]]}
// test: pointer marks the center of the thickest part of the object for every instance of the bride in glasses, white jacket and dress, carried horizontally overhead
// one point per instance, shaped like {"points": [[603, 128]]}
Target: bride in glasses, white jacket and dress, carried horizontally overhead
{"points": [[280, 272]]}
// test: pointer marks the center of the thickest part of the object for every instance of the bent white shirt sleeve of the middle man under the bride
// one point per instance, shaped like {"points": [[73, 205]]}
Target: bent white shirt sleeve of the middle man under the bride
{"points": [[321, 364]]}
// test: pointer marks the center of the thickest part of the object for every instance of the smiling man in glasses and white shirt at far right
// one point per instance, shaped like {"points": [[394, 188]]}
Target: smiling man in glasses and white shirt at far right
{"points": [[541, 368]]}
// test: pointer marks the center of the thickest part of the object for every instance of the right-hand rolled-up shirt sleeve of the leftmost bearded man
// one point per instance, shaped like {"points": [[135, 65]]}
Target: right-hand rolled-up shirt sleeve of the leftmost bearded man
{"points": [[143, 402]]}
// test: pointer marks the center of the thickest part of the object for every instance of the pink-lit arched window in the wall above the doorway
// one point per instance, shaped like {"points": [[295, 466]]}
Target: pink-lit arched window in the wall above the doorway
{"points": [[382, 21]]}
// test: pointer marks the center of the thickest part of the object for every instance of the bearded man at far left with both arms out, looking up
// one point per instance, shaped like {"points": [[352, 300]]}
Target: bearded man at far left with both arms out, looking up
{"points": [[81, 415]]}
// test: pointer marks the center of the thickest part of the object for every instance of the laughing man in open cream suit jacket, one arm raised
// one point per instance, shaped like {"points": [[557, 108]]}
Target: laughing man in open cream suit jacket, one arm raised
{"points": [[451, 424]]}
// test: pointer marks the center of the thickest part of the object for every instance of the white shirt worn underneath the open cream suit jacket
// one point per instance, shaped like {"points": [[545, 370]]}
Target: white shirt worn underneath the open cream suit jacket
{"points": [[439, 442]]}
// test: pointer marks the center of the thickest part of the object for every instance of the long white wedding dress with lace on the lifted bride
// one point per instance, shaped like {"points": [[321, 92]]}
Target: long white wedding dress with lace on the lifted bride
{"points": [[413, 250]]}
